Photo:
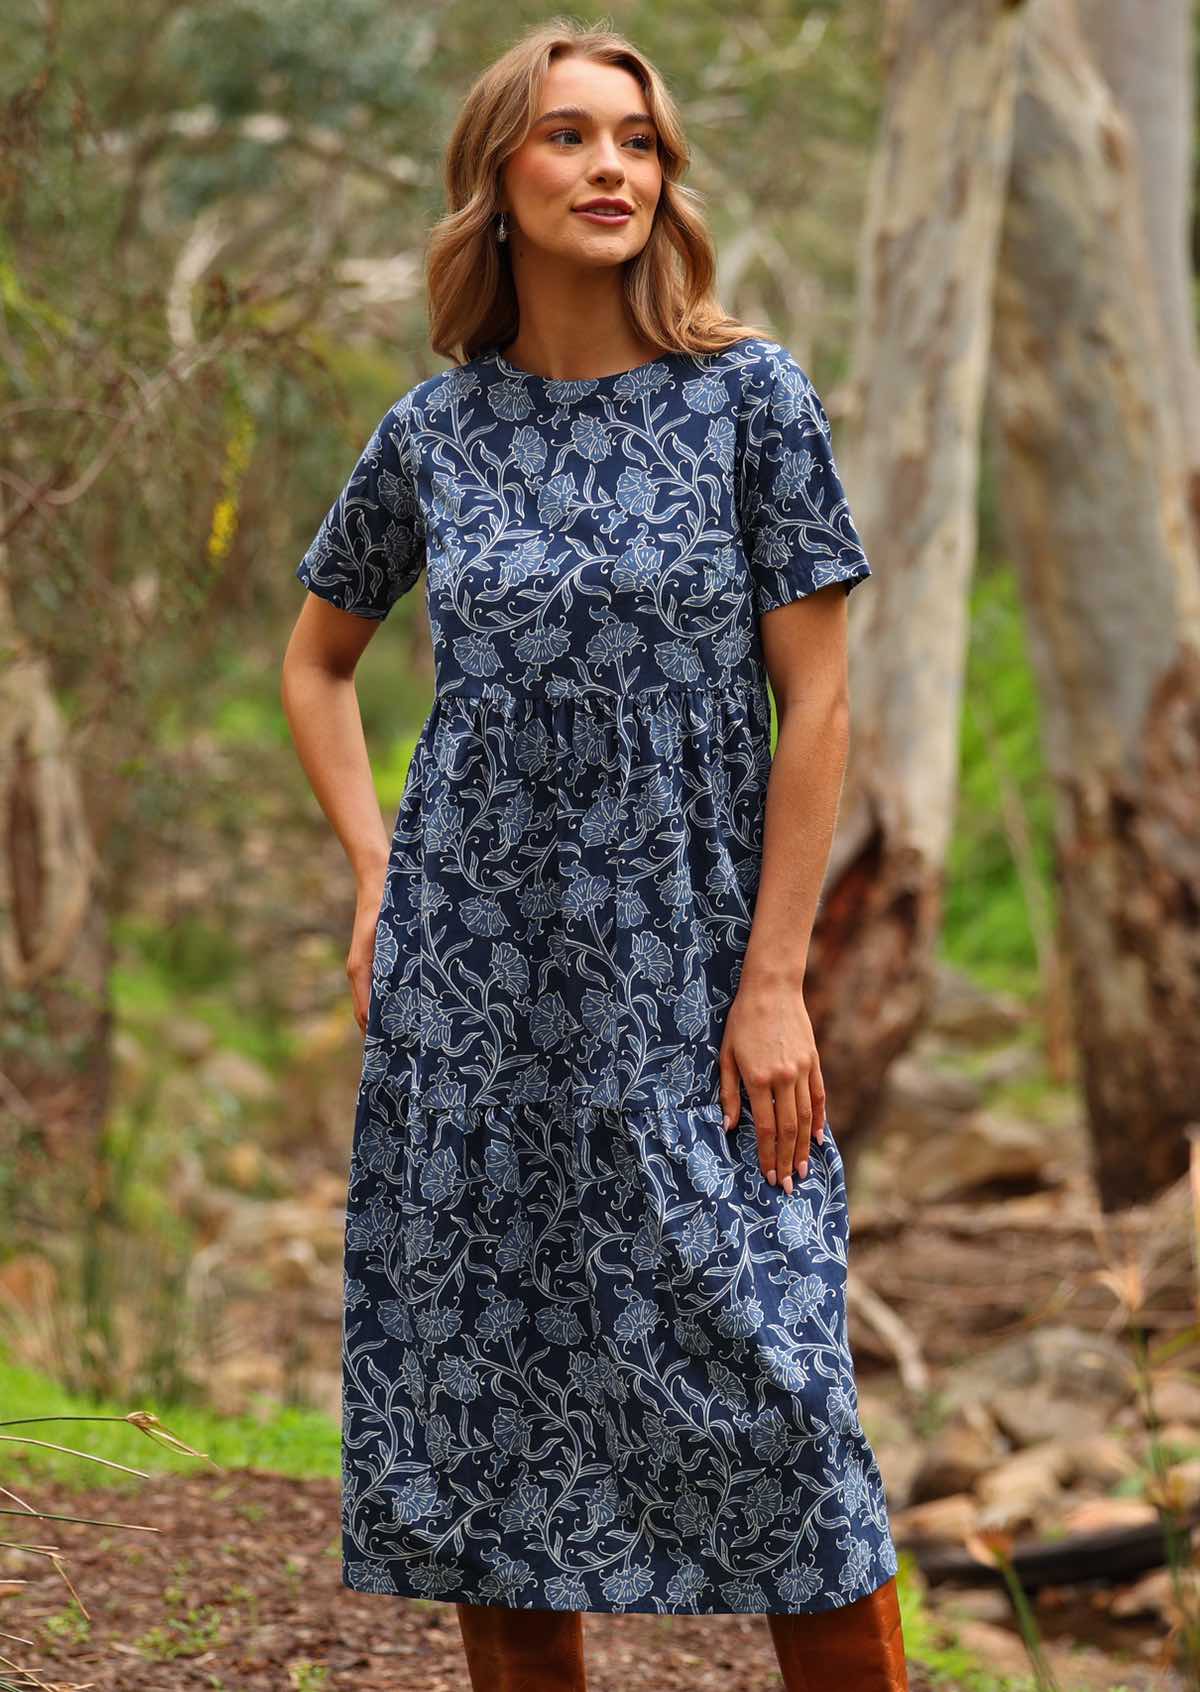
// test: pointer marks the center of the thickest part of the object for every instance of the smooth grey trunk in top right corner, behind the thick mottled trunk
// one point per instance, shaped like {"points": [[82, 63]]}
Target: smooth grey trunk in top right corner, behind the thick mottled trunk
{"points": [[1145, 52]]}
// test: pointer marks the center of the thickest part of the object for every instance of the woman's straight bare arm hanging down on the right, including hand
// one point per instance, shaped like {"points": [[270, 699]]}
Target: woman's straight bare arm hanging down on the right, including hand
{"points": [[768, 1045]]}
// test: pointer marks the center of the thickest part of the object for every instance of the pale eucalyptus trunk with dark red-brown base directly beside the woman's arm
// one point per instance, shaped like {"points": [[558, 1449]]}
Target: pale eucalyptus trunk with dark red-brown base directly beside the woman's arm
{"points": [[908, 448]]}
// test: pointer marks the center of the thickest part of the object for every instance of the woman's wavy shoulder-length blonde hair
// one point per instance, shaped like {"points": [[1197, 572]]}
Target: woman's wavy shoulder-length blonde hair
{"points": [[669, 287]]}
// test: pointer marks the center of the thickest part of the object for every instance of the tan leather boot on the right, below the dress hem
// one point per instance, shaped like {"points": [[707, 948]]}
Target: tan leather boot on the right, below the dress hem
{"points": [[856, 1649]]}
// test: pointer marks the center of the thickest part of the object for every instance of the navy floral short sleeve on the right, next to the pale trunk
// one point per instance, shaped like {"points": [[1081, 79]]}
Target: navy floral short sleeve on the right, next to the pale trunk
{"points": [[796, 520]]}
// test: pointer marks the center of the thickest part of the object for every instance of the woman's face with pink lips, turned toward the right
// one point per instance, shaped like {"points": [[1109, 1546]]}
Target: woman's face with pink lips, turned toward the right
{"points": [[603, 148]]}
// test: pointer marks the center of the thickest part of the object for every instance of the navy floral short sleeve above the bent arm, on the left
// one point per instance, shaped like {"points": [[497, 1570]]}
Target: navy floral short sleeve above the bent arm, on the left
{"points": [[370, 547]]}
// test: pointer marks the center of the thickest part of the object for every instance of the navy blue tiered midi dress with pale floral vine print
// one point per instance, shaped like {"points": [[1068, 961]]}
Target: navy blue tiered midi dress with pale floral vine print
{"points": [[592, 1358]]}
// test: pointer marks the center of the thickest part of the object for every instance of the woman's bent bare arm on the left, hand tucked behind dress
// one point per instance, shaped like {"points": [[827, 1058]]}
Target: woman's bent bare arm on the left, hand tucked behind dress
{"points": [[322, 710]]}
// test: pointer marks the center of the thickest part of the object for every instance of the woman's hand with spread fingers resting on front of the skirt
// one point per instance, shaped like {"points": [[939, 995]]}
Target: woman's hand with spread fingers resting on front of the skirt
{"points": [[769, 1050]]}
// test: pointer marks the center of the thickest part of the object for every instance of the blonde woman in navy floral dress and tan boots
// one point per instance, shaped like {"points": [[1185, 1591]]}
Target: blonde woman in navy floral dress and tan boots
{"points": [[595, 1349]]}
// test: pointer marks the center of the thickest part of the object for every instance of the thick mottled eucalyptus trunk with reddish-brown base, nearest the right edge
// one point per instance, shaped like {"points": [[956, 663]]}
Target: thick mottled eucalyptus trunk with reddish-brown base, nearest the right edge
{"points": [[1096, 500]]}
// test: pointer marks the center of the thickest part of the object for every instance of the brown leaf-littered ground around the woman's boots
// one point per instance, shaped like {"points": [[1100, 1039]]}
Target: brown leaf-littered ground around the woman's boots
{"points": [[241, 1593]]}
